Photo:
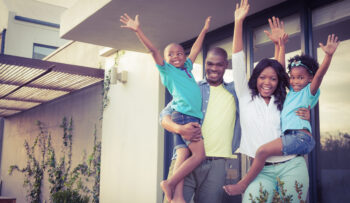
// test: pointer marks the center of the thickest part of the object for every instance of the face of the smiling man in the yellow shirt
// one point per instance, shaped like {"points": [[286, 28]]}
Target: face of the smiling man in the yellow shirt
{"points": [[215, 66]]}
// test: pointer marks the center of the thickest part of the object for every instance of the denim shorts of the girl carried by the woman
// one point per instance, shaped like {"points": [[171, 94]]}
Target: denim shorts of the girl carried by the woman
{"points": [[297, 142]]}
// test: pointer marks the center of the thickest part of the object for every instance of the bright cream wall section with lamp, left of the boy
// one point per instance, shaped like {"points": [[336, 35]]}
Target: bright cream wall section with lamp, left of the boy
{"points": [[132, 140]]}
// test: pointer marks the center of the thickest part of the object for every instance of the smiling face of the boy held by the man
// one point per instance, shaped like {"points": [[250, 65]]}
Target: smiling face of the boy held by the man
{"points": [[175, 55]]}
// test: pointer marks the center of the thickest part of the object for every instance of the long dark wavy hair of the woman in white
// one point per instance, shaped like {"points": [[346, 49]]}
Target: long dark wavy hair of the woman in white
{"points": [[283, 80]]}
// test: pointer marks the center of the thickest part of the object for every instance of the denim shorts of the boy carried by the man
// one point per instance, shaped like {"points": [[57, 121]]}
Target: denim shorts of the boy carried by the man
{"points": [[182, 119]]}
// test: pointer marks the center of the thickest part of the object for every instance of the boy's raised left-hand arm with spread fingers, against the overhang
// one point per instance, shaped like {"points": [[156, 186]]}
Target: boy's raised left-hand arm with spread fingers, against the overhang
{"points": [[134, 25]]}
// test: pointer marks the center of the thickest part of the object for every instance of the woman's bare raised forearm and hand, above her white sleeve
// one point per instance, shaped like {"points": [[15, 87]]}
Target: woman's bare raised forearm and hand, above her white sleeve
{"points": [[240, 14]]}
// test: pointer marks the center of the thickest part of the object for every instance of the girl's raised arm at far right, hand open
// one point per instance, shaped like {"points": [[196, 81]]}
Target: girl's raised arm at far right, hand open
{"points": [[329, 49]]}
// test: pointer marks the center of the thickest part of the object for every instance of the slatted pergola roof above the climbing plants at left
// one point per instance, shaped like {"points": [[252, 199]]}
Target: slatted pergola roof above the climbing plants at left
{"points": [[26, 83]]}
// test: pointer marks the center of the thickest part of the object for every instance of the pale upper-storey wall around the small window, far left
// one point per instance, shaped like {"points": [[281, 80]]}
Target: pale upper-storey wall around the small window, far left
{"points": [[20, 37]]}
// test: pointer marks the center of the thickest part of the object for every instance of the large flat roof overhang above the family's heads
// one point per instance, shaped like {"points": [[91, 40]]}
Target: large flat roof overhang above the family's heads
{"points": [[97, 22]]}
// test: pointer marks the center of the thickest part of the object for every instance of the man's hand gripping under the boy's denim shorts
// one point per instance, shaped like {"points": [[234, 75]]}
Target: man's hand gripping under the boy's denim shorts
{"points": [[190, 131]]}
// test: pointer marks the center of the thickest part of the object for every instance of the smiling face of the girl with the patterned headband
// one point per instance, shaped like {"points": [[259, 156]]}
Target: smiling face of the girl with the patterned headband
{"points": [[299, 78]]}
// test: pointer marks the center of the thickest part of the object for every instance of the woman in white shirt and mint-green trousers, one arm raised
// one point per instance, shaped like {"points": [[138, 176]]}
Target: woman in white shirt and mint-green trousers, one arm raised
{"points": [[261, 101]]}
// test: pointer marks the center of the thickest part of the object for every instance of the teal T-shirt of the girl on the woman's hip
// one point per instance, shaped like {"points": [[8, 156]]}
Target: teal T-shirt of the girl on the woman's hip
{"points": [[294, 101]]}
